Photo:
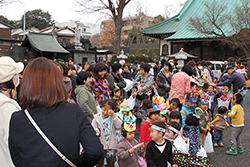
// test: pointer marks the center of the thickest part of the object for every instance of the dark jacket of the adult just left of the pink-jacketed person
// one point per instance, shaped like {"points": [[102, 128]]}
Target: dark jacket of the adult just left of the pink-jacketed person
{"points": [[162, 80]]}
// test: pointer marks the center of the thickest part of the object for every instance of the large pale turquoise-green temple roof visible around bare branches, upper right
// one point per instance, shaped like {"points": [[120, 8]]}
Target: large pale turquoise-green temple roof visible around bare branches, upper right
{"points": [[178, 28]]}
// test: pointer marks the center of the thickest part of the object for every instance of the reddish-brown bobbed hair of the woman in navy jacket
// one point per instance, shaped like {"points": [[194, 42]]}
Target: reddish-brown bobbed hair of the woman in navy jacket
{"points": [[42, 85]]}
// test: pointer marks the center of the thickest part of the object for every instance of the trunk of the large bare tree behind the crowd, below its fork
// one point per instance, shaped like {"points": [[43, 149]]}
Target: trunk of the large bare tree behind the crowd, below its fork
{"points": [[118, 29]]}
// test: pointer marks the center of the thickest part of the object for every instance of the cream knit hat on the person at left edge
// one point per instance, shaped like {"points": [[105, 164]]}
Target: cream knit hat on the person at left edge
{"points": [[9, 68]]}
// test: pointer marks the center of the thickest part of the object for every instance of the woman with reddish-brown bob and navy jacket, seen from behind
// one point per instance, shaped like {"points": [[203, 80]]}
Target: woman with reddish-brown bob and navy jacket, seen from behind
{"points": [[50, 131]]}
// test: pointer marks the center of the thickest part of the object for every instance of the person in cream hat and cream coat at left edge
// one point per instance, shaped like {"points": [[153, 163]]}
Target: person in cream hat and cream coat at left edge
{"points": [[9, 79]]}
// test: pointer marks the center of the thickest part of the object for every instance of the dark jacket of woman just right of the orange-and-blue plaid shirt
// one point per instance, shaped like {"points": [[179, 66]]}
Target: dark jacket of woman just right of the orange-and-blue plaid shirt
{"points": [[118, 79]]}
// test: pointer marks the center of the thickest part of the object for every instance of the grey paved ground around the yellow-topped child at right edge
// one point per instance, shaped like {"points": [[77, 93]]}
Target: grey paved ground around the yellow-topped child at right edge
{"points": [[220, 159]]}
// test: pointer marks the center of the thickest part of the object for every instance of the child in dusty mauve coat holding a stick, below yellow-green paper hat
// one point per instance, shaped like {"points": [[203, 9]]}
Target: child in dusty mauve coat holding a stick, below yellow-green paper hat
{"points": [[127, 155]]}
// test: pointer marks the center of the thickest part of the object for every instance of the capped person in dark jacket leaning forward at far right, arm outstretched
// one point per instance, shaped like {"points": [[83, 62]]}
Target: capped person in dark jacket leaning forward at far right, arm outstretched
{"points": [[238, 82]]}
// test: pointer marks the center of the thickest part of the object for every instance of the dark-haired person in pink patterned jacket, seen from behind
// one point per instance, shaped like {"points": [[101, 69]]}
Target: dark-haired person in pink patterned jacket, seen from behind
{"points": [[180, 83]]}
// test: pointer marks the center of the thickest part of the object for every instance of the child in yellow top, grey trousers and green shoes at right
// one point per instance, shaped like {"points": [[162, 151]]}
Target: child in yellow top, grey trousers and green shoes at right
{"points": [[237, 115]]}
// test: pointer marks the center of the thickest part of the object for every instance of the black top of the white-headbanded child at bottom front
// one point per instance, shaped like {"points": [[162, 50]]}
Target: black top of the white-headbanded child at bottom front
{"points": [[155, 158]]}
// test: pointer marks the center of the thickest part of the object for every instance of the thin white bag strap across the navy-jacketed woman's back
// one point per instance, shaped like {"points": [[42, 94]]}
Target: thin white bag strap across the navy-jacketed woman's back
{"points": [[47, 140]]}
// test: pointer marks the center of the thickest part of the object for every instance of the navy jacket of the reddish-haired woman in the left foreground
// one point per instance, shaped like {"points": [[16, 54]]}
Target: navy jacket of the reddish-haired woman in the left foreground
{"points": [[65, 125]]}
